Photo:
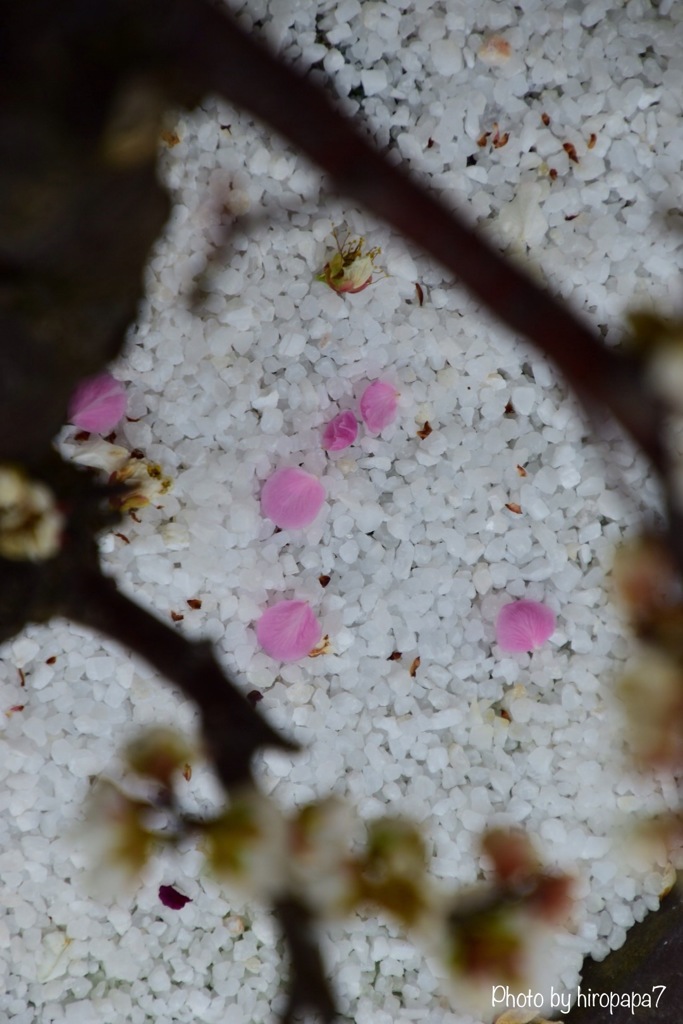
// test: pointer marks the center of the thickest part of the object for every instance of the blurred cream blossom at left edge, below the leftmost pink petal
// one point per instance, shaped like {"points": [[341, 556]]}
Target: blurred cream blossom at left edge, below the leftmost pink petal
{"points": [[30, 522]]}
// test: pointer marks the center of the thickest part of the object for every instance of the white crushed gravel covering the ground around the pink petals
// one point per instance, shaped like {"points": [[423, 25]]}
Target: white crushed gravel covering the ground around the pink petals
{"points": [[417, 539]]}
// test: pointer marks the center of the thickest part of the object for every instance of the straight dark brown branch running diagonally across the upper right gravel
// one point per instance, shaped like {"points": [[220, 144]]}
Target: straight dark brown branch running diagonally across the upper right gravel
{"points": [[218, 57]]}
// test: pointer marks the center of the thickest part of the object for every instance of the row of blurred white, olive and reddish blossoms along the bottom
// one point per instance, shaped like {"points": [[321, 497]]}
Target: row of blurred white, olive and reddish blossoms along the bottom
{"points": [[326, 858]]}
